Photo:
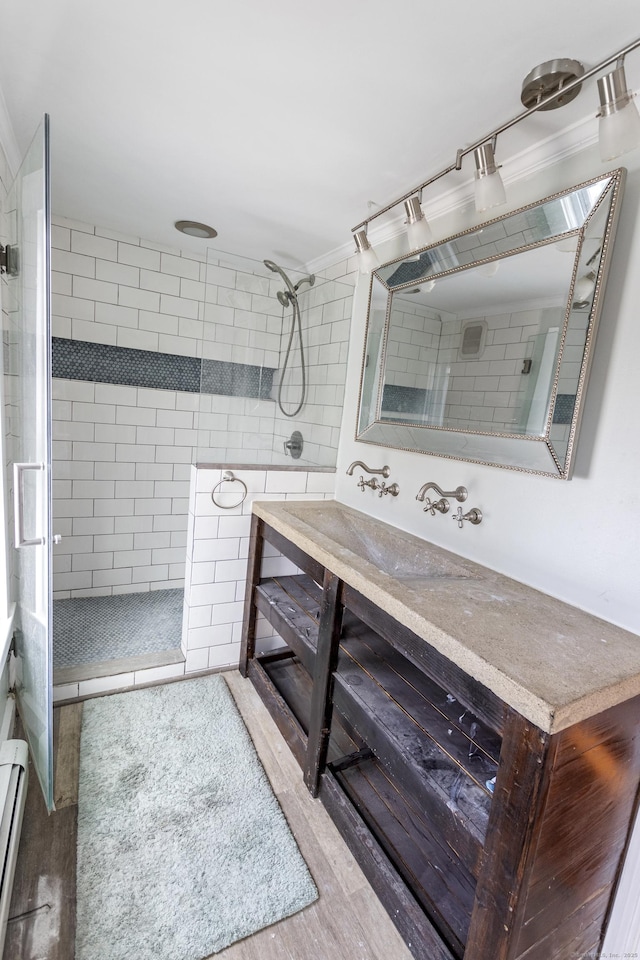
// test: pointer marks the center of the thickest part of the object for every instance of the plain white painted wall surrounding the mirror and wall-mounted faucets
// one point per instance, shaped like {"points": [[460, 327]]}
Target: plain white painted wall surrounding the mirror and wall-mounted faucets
{"points": [[576, 540]]}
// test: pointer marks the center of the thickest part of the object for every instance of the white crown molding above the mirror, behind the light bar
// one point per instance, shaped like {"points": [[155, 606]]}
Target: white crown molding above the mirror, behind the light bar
{"points": [[540, 155]]}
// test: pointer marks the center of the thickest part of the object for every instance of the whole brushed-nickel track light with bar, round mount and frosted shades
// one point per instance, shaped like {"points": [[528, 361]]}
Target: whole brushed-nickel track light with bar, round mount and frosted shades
{"points": [[548, 86]]}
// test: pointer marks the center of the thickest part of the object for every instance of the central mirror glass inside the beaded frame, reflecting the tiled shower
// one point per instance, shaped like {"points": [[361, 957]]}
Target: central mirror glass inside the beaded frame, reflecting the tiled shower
{"points": [[477, 350]]}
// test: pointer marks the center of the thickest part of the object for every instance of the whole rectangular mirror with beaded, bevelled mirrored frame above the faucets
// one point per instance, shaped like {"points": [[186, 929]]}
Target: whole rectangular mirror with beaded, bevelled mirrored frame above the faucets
{"points": [[478, 347]]}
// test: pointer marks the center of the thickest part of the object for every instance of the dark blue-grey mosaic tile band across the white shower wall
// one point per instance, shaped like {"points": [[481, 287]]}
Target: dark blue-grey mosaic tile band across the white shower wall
{"points": [[103, 363]]}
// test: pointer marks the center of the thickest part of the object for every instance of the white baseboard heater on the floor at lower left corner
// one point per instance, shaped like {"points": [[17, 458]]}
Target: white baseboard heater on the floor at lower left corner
{"points": [[14, 775]]}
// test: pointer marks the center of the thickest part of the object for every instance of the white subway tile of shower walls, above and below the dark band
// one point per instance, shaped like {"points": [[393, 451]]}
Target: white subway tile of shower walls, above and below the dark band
{"points": [[122, 453]]}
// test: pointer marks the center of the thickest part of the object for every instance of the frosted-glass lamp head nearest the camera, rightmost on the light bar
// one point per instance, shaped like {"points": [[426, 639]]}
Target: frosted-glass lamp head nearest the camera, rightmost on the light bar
{"points": [[619, 126]]}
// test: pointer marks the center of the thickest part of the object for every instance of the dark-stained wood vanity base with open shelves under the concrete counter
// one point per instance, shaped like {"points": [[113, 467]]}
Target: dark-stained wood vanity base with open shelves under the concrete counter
{"points": [[403, 746]]}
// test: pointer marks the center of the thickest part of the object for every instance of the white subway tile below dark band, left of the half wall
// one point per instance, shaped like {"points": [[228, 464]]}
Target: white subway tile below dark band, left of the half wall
{"points": [[120, 507]]}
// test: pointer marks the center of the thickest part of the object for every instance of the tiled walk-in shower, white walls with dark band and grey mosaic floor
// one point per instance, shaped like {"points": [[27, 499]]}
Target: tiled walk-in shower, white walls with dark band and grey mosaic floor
{"points": [[162, 359]]}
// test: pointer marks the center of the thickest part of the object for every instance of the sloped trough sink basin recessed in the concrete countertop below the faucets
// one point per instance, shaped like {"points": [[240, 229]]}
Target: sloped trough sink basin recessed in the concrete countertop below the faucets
{"points": [[391, 551]]}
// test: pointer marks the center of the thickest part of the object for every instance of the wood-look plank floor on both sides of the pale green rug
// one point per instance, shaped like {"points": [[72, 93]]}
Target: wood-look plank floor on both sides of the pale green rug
{"points": [[347, 922]]}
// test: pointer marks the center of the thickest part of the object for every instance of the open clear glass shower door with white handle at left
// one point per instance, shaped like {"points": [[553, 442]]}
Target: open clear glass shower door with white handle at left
{"points": [[28, 392]]}
